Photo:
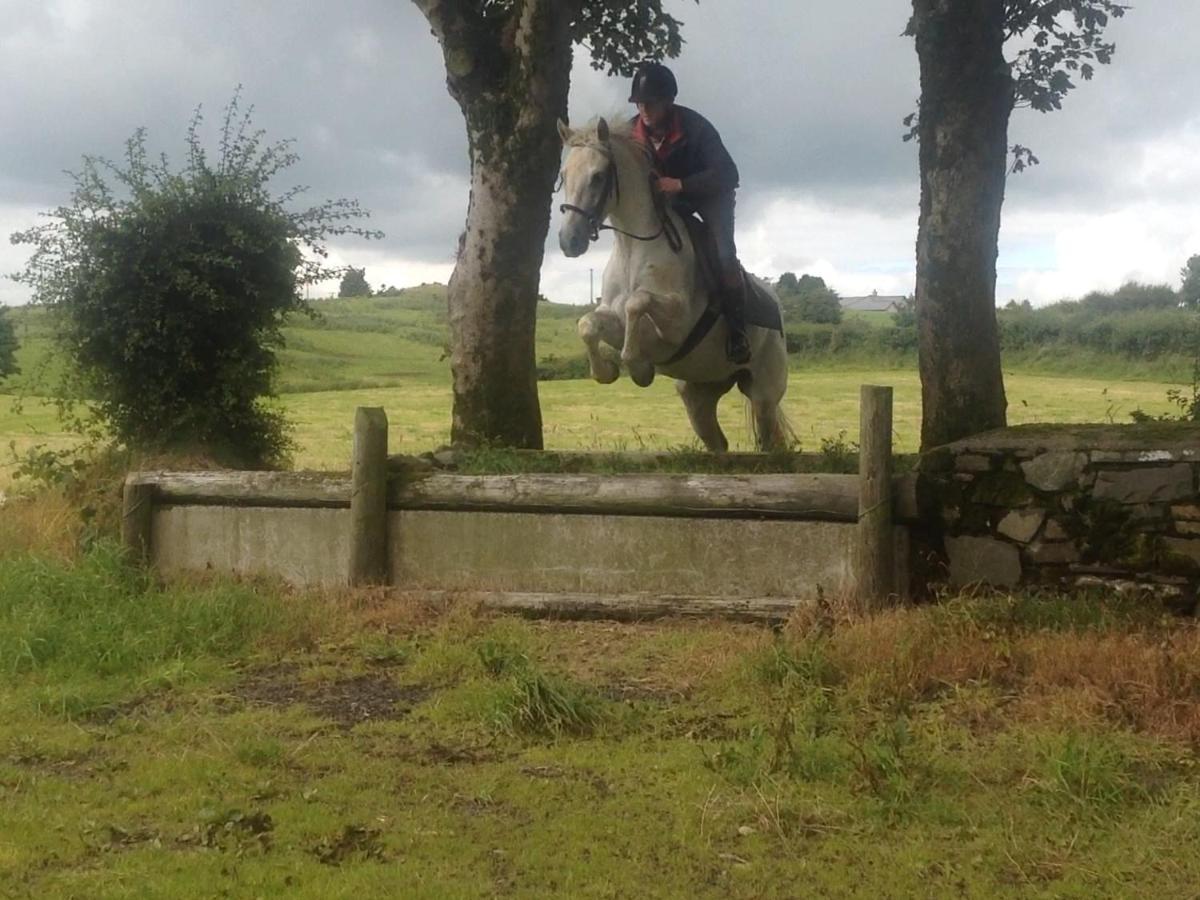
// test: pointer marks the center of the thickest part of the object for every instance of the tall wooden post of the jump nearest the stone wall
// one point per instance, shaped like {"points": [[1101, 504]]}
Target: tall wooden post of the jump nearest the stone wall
{"points": [[877, 554]]}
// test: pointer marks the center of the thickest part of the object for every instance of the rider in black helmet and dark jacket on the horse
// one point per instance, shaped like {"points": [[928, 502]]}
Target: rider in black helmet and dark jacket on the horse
{"points": [[699, 176]]}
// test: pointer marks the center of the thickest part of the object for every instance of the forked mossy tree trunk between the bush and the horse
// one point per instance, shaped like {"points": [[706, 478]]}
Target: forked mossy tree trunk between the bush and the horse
{"points": [[511, 76]]}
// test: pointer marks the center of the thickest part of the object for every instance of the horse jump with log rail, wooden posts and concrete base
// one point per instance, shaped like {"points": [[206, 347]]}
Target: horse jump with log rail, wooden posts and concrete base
{"points": [[615, 545]]}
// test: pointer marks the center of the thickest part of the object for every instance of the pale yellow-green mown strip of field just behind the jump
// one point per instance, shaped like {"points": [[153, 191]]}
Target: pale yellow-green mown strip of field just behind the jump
{"points": [[581, 415]]}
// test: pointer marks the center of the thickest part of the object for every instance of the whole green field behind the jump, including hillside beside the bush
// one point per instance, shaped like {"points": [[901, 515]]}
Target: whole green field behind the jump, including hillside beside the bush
{"points": [[389, 352]]}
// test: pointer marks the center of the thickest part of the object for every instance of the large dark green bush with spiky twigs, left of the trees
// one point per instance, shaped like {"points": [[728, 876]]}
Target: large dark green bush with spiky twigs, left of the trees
{"points": [[171, 291]]}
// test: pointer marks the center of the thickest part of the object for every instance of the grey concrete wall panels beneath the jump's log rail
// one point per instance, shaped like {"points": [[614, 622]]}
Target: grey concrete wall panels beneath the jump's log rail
{"points": [[521, 553]]}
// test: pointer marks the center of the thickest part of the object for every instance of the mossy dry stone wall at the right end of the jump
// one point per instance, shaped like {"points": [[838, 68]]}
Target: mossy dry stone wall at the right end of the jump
{"points": [[1071, 507]]}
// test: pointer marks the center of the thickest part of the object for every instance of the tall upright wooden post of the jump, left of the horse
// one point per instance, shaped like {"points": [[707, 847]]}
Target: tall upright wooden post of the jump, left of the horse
{"points": [[369, 499]]}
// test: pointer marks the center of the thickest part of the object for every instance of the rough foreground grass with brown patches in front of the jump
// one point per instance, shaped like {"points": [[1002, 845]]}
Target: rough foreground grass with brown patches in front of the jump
{"points": [[257, 742]]}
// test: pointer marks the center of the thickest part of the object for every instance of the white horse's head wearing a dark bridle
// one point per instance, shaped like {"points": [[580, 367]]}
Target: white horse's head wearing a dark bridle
{"points": [[589, 181]]}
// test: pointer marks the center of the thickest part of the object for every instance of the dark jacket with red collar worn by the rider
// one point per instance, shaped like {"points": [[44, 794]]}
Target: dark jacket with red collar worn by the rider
{"points": [[693, 153]]}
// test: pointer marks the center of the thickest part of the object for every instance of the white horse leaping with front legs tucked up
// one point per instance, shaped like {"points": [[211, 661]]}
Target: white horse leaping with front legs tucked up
{"points": [[655, 304]]}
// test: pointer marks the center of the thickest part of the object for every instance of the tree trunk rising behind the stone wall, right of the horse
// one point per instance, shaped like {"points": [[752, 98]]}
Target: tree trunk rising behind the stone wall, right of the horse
{"points": [[967, 98]]}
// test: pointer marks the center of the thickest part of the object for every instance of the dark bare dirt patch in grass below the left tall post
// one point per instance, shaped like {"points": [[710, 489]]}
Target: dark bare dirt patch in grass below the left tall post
{"points": [[346, 701]]}
